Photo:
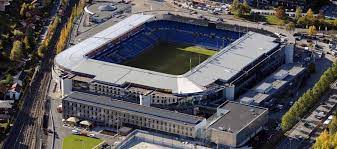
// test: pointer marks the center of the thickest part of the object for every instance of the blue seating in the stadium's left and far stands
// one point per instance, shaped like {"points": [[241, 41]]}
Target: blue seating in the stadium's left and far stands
{"points": [[167, 31]]}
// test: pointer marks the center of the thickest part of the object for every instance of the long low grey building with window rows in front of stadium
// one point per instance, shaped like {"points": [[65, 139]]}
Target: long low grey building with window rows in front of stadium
{"points": [[110, 112]]}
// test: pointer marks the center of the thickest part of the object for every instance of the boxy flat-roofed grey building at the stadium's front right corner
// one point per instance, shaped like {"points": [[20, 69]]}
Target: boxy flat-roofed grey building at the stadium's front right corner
{"points": [[234, 124]]}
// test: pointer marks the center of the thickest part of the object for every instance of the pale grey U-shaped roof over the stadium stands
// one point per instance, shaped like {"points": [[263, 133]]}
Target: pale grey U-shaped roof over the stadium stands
{"points": [[224, 65]]}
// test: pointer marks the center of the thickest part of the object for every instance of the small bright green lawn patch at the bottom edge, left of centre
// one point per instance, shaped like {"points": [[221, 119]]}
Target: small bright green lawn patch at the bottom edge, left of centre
{"points": [[79, 142]]}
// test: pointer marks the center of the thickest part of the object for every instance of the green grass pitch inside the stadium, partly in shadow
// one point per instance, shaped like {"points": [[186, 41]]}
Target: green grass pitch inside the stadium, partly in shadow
{"points": [[170, 58]]}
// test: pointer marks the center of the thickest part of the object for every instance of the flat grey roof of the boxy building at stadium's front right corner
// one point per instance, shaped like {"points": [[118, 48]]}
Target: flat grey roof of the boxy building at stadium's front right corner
{"points": [[237, 117]]}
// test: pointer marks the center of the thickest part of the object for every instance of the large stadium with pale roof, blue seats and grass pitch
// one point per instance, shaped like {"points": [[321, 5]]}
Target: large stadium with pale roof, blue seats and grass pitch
{"points": [[165, 59]]}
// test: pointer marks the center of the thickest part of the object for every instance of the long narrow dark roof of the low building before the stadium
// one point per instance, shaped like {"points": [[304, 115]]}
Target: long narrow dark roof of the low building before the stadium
{"points": [[127, 107]]}
